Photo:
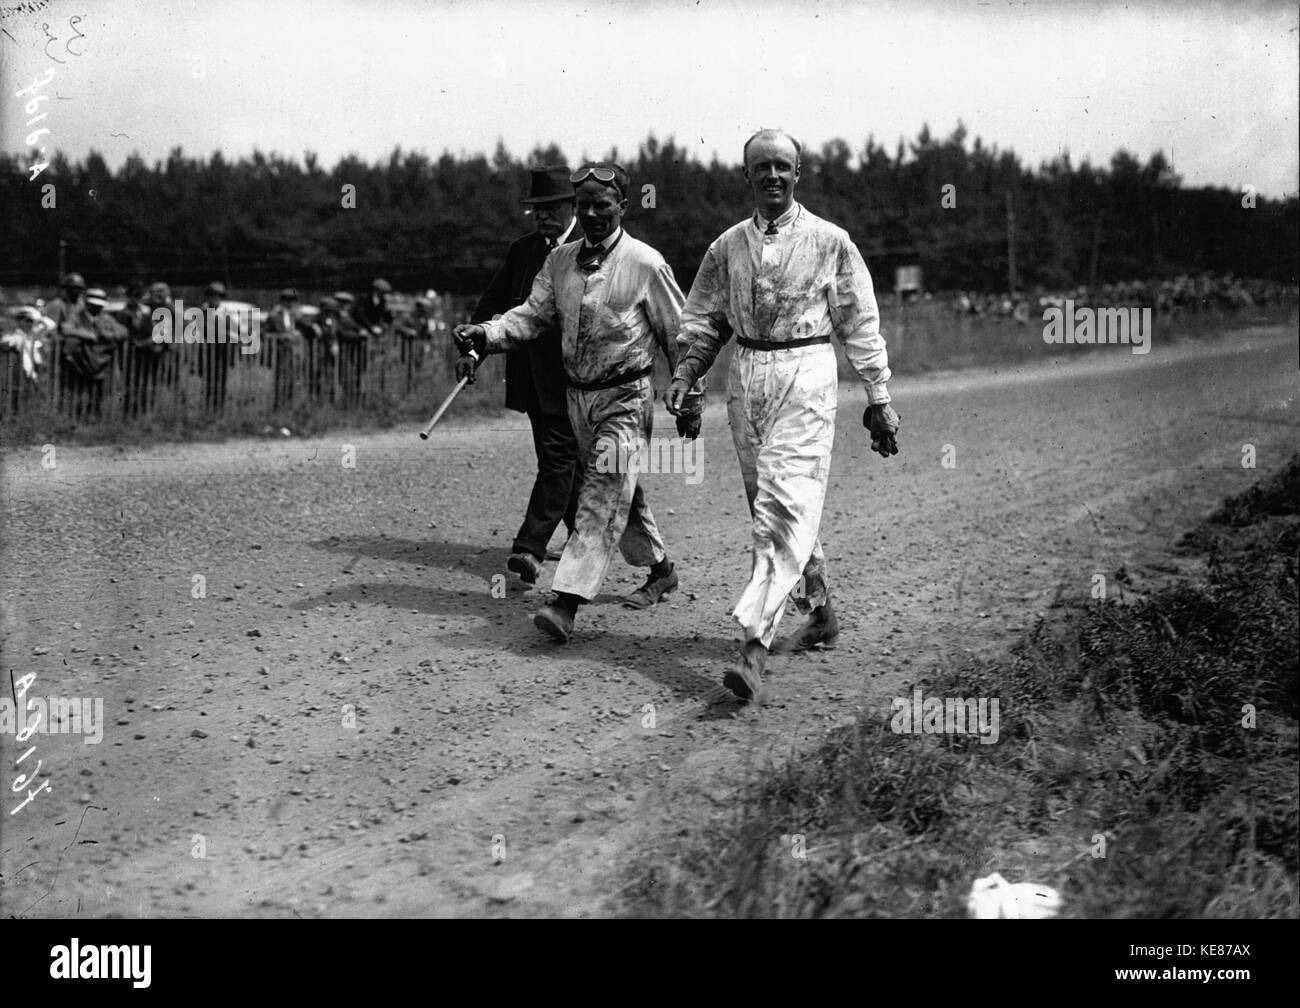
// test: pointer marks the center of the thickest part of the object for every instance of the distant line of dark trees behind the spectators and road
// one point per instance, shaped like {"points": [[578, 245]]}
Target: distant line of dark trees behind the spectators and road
{"points": [[267, 222]]}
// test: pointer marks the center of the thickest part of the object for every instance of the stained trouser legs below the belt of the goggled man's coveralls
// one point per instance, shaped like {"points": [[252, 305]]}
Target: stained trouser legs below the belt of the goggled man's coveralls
{"points": [[613, 514]]}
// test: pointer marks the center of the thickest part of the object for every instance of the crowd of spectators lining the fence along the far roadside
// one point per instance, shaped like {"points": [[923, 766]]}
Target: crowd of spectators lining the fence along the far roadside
{"points": [[323, 352]]}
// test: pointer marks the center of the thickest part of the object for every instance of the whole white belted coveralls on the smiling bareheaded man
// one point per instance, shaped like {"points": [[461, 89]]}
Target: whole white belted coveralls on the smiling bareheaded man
{"points": [[804, 283]]}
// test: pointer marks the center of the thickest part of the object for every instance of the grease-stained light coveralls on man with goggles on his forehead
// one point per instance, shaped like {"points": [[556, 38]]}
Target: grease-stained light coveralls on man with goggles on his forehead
{"points": [[610, 321]]}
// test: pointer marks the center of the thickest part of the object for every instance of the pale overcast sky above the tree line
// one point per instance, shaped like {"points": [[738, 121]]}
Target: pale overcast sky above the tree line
{"points": [[1214, 86]]}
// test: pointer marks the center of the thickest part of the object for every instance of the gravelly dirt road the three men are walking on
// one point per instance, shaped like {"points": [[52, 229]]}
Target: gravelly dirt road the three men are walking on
{"points": [[314, 704]]}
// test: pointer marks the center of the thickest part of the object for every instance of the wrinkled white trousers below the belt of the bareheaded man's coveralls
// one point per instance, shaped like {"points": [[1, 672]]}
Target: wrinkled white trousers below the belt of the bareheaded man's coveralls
{"points": [[782, 409]]}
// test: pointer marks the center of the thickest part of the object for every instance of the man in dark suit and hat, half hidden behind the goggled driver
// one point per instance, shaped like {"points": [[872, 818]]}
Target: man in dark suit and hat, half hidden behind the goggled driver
{"points": [[535, 373]]}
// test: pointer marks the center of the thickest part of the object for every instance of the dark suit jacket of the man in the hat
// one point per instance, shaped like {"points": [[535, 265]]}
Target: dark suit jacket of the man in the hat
{"points": [[535, 373]]}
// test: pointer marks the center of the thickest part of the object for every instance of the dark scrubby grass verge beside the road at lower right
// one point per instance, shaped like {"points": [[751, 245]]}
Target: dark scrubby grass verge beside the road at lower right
{"points": [[1124, 773]]}
